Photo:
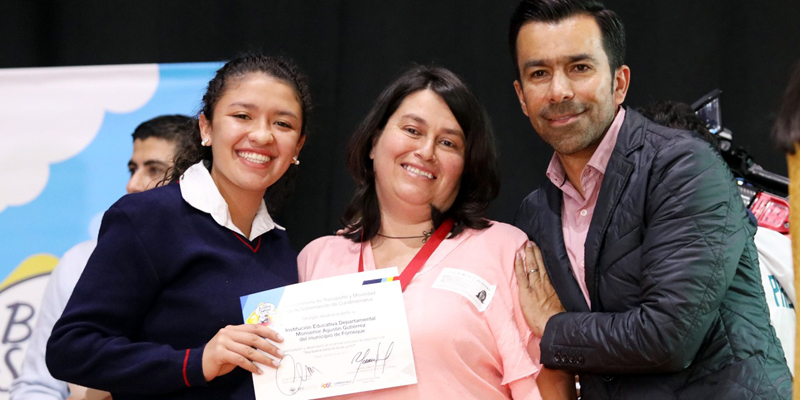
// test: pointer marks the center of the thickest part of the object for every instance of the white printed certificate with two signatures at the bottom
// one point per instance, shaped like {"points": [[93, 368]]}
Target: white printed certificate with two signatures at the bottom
{"points": [[344, 334]]}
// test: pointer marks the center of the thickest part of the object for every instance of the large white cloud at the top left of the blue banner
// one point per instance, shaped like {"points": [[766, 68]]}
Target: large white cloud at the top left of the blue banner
{"points": [[48, 115]]}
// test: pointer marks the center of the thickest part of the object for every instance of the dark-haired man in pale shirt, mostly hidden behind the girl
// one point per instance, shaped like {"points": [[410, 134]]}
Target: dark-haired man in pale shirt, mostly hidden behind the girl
{"points": [[154, 144]]}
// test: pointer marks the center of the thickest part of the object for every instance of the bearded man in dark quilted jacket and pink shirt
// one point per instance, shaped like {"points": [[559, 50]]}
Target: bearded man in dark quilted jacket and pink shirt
{"points": [[641, 229]]}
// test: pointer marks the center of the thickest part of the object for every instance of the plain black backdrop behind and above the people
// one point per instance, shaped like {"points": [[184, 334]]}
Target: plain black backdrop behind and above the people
{"points": [[677, 50]]}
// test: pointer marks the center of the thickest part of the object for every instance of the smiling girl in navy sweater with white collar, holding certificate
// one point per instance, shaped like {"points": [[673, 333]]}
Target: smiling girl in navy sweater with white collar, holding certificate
{"points": [[156, 313]]}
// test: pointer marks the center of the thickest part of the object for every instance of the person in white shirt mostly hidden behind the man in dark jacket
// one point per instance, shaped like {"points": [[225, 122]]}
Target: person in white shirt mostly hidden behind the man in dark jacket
{"points": [[774, 249]]}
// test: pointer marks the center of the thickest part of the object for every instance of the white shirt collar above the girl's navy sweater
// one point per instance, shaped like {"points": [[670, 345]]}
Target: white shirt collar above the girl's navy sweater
{"points": [[199, 190]]}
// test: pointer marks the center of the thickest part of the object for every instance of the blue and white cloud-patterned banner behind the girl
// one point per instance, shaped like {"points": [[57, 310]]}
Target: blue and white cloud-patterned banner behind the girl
{"points": [[65, 141]]}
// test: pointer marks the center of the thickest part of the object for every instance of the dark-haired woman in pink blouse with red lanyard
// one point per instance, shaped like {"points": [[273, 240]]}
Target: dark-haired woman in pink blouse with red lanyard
{"points": [[425, 165]]}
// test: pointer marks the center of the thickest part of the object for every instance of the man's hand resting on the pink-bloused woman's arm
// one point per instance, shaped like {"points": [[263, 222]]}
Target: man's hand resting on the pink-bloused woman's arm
{"points": [[537, 297]]}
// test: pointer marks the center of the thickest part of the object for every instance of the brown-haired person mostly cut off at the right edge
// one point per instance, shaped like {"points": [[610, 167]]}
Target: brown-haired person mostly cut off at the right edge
{"points": [[786, 133]]}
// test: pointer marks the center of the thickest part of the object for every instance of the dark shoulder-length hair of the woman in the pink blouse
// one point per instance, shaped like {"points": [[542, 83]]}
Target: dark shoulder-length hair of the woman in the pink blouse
{"points": [[480, 182]]}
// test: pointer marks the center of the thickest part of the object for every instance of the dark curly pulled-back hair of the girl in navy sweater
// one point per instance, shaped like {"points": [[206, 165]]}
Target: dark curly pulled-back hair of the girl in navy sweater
{"points": [[231, 73]]}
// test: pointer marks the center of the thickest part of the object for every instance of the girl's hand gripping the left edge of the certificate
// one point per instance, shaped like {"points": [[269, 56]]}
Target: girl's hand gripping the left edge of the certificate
{"points": [[237, 346]]}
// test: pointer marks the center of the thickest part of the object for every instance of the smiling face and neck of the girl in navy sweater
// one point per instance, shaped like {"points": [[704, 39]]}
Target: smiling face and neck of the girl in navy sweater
{"points": [[254, 138]]}
